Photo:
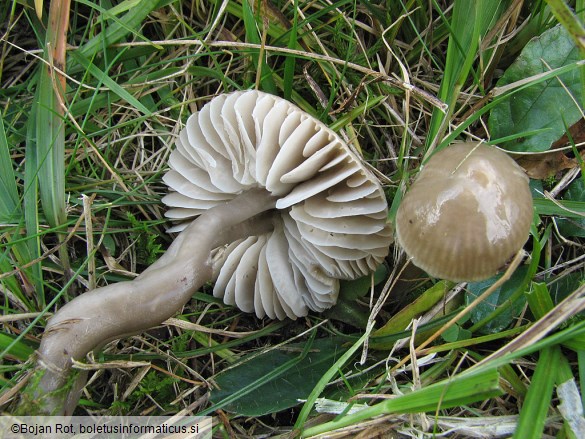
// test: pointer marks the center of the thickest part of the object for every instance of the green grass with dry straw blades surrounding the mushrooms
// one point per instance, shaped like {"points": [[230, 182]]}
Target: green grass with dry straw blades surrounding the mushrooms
{"points": [[398, 79]]}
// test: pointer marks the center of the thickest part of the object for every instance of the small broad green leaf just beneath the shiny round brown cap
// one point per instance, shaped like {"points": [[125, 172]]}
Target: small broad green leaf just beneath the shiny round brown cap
{"points": [[507, 296]]}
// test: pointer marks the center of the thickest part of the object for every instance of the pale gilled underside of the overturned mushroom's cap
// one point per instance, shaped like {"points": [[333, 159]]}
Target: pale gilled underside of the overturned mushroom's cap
{"points": [[332, 221]]}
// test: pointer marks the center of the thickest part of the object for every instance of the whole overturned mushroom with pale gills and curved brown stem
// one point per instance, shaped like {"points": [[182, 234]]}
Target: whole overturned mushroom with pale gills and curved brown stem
{"points": [[283, 209]]}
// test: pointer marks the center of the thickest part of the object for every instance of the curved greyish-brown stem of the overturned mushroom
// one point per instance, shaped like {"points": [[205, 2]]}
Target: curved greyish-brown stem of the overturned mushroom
{"points": [[104, 314]]}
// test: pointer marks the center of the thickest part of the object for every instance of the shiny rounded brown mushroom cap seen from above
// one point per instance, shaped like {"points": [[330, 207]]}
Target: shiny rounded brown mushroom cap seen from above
{"points": [[467, 213]]}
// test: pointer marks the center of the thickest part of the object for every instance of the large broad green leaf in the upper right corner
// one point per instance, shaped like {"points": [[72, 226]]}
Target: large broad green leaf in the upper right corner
{"points": [[537, 116]]}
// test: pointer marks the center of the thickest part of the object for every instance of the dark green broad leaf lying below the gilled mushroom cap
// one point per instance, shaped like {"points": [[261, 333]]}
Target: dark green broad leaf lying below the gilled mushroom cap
{"points": [[278, 379]]}
